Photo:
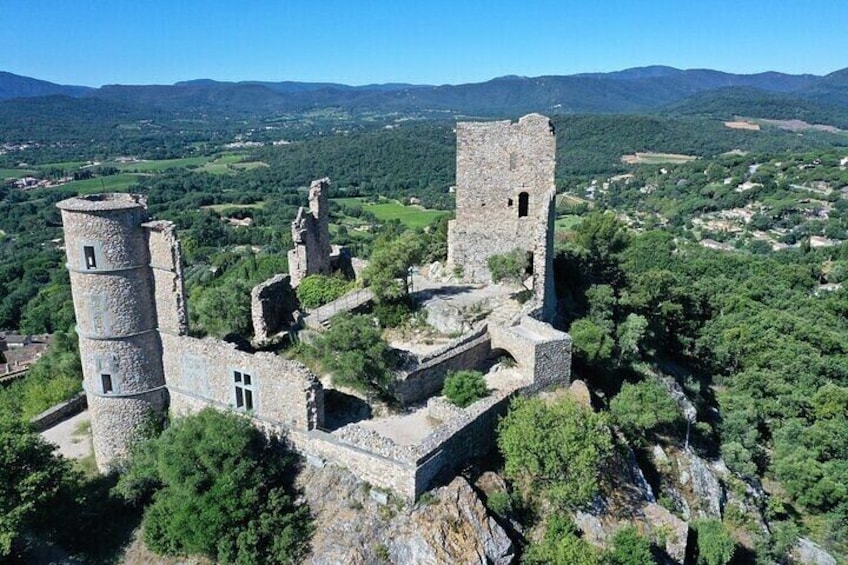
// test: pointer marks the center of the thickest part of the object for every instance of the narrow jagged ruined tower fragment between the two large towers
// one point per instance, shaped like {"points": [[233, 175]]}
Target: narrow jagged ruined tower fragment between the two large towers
{"points": [[311, 235]]}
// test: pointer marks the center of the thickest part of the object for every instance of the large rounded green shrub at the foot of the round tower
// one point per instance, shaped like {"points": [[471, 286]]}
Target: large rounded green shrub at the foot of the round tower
{"points": [[218, 488]]}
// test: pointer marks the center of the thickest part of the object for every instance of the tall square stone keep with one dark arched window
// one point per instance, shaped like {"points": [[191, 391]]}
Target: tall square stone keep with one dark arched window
{"points": [[505, 199]]}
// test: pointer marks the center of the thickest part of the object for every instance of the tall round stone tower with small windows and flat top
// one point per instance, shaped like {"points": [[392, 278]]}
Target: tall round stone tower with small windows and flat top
{"points": [[120, 348]]}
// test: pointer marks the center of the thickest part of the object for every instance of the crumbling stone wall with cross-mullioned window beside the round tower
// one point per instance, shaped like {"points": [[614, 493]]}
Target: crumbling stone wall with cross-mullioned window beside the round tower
{"points": [[200, 372]]}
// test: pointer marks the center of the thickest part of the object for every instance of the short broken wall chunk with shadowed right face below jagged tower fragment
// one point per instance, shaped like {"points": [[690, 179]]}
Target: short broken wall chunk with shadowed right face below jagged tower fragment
{"points": [[272, 307]]}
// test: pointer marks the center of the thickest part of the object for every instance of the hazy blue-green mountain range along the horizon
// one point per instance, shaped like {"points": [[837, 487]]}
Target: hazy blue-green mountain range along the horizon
{"points": [[644, 89]]}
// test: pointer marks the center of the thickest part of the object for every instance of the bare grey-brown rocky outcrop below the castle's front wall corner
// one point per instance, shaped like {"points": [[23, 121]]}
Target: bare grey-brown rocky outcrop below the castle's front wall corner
{"points": [[354, 527]]}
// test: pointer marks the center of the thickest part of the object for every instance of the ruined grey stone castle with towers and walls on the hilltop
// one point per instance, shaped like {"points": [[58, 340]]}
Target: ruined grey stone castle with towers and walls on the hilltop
{"points": [[139, 361]]}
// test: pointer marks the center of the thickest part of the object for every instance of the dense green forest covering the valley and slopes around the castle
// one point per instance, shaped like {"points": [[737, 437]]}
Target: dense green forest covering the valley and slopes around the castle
{"points": [[748, 332]]}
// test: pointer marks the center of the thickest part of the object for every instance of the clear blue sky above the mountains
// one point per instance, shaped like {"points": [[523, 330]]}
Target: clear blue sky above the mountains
{"points": [[95, 42]]}
